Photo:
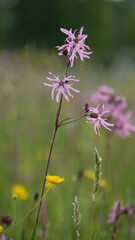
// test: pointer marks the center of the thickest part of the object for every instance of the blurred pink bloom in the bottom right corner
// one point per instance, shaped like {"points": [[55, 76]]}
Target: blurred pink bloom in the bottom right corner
{"points": [[118, 209]]}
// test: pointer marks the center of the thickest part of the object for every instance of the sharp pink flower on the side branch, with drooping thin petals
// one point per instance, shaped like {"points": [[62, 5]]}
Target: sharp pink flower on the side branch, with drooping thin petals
{"points": [[97, 119]]}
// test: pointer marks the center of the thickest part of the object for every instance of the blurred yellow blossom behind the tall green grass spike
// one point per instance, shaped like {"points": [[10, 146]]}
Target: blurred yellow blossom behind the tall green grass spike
{"points": [[91, 175]]}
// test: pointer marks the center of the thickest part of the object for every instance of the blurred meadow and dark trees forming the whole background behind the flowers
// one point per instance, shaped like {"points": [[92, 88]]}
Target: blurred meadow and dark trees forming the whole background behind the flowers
{"points": [[29, 34]]}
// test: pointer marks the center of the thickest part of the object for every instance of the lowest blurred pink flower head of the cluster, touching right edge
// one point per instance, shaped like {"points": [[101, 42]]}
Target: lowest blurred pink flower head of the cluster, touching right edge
{"points": [[123, 127]]}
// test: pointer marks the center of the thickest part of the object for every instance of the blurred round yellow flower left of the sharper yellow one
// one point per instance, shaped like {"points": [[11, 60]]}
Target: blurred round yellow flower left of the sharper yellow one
{"points": [[20, 191]]}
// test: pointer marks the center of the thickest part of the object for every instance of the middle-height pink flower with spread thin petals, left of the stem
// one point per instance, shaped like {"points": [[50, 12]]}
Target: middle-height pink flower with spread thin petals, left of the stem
{"points": [[61, 86]]}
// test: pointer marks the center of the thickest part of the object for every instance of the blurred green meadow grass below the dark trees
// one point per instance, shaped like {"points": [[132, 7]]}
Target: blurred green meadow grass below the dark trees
{"points": [[27, 122]]}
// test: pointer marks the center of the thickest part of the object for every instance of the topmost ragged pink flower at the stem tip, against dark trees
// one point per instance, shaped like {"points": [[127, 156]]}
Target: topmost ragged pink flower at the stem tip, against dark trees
{"points": [[75, 44]]}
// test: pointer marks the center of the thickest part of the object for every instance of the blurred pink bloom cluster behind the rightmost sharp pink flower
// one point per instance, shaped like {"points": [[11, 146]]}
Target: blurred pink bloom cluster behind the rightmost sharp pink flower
{"points": [[116, 105]]}
